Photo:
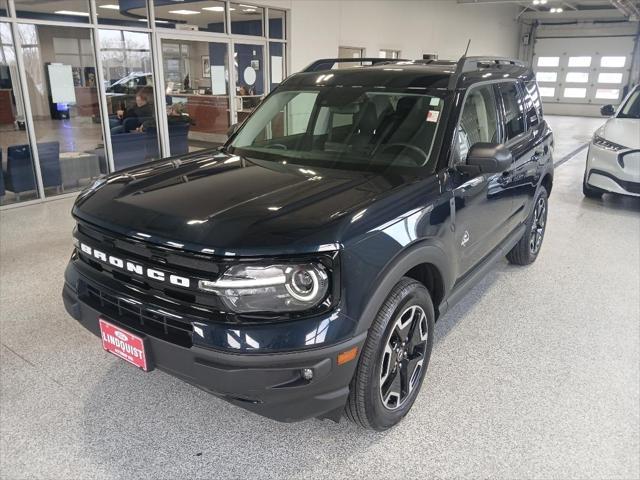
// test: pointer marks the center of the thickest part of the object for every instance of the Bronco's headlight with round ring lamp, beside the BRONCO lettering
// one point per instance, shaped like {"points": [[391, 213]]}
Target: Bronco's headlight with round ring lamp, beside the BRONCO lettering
{"points": [[270, 288]]}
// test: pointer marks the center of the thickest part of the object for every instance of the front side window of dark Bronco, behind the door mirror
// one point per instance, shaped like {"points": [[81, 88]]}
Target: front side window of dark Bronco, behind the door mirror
{"points": [[478, 122]]}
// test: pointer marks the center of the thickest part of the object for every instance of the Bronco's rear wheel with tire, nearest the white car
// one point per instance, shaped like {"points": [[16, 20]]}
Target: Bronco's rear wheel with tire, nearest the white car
{"points": [[526, 250]]}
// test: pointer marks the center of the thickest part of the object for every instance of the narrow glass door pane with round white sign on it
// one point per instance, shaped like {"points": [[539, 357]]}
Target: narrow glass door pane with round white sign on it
{"points": [[249, 68]]}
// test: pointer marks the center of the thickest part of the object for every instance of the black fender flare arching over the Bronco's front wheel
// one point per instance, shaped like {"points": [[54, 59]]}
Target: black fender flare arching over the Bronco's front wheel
{"points": [[423, 252]]}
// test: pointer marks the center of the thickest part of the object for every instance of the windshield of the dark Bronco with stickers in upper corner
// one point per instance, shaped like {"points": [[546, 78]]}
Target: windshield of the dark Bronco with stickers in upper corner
{"points": [[342, 127]]}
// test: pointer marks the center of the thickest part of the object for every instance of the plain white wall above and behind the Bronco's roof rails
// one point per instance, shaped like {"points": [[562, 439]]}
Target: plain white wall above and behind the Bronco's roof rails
{"points": [[319, 27]]}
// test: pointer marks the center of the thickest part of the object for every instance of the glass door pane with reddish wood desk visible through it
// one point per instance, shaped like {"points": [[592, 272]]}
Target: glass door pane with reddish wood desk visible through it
{"points": [[196, 86]]}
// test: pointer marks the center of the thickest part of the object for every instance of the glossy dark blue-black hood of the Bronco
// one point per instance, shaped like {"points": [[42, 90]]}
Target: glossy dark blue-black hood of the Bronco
{"points": [[228, 205]]}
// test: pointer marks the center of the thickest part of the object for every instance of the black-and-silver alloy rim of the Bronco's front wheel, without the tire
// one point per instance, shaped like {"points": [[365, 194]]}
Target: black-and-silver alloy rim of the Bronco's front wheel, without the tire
{"points": [[403, 357]]}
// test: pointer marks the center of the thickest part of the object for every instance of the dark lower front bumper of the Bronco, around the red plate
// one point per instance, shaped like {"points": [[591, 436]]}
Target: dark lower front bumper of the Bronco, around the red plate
{"points": [[268, 384]]}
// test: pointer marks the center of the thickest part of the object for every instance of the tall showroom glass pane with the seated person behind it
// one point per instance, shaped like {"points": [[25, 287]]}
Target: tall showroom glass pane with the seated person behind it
{"points": [[128, 87]]}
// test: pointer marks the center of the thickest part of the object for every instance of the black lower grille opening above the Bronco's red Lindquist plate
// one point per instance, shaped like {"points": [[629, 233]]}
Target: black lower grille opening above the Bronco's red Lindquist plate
{"points": [[130, 313]]}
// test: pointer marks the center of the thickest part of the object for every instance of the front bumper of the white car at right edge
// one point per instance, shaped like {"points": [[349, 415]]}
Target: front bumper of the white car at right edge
{"points": [[611, 171]]}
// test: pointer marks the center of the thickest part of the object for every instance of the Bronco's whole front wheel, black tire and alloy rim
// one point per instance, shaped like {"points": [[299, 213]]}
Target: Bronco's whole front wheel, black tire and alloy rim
{"points": [[394, 359]]}
